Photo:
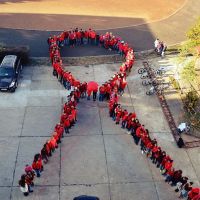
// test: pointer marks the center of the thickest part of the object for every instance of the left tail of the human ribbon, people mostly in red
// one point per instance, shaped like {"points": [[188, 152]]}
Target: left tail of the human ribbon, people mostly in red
{"points": [[68, 119]]}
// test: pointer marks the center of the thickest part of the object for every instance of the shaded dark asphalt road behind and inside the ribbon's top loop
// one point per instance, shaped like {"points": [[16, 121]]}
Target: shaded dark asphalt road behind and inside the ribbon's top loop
{"points": [[37, 41]]}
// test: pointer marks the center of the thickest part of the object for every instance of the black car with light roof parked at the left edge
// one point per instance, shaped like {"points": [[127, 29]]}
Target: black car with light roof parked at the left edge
{"points": [[10, 69]]}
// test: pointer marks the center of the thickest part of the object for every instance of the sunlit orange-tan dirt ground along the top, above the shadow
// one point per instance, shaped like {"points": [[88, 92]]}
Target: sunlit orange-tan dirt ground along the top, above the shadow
{"points": [[155, 10]]}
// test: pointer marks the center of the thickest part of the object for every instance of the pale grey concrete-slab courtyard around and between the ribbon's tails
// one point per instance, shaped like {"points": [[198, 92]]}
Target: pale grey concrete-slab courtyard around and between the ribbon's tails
{"points": [[98, 157]]}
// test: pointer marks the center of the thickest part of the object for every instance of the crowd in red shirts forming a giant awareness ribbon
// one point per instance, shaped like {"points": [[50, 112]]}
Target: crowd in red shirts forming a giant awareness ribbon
{"points": [[110, 92]]}
